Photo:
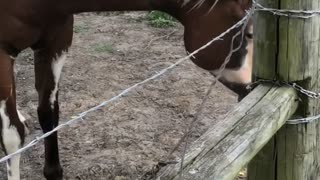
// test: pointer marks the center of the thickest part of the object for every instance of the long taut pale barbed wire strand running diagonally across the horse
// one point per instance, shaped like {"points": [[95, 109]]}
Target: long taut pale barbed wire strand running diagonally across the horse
{"points": [[80, 116]]}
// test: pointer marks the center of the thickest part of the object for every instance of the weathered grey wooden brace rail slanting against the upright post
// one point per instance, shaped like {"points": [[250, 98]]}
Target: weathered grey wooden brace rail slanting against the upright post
{"points": [[232, 142]]}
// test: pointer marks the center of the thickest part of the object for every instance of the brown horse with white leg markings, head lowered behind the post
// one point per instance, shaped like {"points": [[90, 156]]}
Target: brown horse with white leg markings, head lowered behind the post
{"points": [[46, 27]]}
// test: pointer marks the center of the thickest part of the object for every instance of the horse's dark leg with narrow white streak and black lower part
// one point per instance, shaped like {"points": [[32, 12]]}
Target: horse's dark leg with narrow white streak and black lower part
{"points": [[49, 58]]}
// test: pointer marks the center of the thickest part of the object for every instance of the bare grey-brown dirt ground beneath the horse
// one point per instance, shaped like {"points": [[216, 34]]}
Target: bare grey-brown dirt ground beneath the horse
{"points": [[127, 138]]}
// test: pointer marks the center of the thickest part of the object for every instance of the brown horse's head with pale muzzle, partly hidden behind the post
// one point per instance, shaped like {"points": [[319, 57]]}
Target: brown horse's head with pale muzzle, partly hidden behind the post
{"points": [[207, 19]]}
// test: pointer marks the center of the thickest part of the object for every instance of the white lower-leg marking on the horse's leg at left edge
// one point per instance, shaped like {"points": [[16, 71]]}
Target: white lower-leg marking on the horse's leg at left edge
{"points": [[11, 141]]}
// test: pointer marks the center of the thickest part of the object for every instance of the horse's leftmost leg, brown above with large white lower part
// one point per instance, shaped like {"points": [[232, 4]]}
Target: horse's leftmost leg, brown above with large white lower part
{"points": [[12, 129]]}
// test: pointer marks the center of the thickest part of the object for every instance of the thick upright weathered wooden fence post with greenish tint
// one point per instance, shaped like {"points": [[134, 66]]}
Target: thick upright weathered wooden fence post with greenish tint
{"points": [[289, 48]]}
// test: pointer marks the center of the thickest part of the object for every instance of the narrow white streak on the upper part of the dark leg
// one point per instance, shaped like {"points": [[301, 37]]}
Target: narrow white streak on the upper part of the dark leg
{"points": [[56, 66]]}
